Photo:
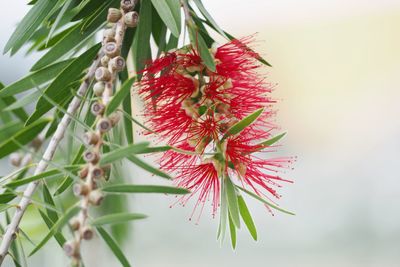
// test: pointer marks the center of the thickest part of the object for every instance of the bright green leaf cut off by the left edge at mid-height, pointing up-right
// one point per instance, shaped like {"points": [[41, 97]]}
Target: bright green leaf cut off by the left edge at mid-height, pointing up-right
{"points": [[22, 137]]}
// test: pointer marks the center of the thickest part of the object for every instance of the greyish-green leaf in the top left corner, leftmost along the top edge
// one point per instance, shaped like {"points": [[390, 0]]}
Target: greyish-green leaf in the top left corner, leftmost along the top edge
{"points": [[31, 21]]}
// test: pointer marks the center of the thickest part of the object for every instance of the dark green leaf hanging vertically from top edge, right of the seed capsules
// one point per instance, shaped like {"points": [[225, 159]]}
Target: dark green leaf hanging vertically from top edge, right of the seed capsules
{"points": [[141, 44]]}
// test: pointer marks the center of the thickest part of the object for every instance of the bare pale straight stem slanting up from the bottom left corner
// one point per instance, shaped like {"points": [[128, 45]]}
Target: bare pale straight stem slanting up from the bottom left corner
{"points": [[12, 228]]}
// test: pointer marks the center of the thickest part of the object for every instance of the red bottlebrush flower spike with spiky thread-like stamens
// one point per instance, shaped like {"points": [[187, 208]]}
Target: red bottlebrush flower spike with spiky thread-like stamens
{"points": [[192, 109]]}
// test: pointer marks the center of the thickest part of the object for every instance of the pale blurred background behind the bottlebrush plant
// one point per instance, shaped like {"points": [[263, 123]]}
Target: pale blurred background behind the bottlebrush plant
{"points": [[337, 63]]}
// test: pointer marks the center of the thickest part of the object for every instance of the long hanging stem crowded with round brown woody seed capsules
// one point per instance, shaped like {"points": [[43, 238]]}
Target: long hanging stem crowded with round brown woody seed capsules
{"points": [[111, 63]]}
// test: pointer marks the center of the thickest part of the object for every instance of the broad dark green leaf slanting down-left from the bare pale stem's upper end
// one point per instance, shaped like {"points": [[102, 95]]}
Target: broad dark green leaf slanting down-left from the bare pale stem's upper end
{"points": [[56, 91]]}
